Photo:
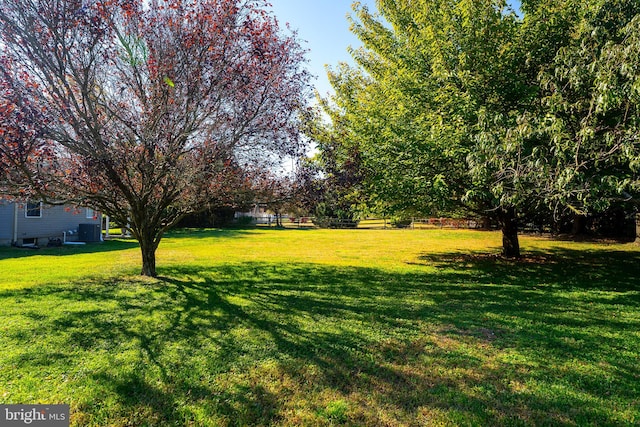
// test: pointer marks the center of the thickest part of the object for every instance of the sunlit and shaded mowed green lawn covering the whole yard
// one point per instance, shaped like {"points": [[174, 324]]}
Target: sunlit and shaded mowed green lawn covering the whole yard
{"points": [[325, 327]]}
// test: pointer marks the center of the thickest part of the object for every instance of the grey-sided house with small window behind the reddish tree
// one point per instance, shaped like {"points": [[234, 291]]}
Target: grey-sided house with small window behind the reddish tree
{"points": [[37, 224]]}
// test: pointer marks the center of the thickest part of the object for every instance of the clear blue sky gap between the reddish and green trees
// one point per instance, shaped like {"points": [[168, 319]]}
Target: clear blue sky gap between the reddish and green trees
{"points": [[323, 27]]}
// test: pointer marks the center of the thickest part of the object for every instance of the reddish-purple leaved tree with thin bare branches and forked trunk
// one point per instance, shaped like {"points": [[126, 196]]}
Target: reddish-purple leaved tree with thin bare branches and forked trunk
{"points": [[144, 110]]}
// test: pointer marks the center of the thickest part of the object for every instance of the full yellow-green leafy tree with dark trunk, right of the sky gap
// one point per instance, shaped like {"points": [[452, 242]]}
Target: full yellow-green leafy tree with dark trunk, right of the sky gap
{"points": [[438, 85]]}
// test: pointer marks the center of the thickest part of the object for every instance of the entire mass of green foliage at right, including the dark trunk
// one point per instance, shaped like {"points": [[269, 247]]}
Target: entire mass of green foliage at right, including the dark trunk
{"points": [[470, 105]]}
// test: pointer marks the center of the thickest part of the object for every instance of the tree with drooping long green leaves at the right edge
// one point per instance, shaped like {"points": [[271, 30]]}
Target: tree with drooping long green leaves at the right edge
{"points": [[591, 95]]}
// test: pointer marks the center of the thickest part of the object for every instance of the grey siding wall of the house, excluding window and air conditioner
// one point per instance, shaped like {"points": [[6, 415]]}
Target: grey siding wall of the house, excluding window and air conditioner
{"points": [[54, 222]]}
